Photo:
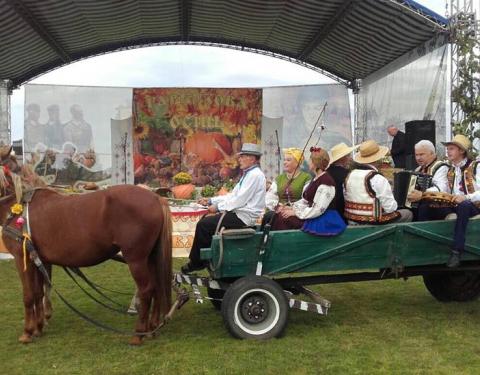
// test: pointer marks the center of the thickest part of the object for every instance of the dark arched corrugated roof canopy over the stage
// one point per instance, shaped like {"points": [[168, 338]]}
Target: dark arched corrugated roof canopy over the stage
{"points": [[343, 39]]}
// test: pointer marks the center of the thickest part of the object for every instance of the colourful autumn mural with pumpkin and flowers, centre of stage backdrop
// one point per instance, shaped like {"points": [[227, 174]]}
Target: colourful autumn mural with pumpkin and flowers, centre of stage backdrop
{"points": [[193, 130]]}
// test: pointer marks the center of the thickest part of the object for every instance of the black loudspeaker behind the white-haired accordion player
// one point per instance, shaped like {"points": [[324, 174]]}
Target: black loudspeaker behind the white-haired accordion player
{"points": [[415, 131]]}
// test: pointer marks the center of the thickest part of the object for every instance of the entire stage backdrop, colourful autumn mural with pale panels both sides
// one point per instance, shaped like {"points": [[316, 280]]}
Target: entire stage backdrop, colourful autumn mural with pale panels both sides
{"points": [[205, 126]]}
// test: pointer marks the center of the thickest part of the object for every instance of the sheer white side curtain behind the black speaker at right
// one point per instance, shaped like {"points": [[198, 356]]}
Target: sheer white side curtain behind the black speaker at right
{"points": [[403, 92]]}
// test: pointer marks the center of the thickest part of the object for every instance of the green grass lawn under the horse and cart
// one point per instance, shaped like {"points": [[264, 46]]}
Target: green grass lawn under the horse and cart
{"points": [[390, 327]]}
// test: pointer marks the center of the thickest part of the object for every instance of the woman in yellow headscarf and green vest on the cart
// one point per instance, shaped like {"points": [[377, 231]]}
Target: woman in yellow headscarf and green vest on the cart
{"points": [[288, 186]]}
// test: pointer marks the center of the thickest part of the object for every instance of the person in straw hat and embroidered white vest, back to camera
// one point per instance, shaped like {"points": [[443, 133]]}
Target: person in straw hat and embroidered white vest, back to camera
{"points": [[368, 195]]}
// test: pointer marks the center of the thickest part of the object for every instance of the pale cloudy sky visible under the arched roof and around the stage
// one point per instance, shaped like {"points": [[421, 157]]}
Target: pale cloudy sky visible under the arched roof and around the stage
{"points": [[179, 66]]}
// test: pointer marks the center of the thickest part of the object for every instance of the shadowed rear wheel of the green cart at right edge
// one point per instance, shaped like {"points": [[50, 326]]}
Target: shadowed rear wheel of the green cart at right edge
{"points": [[461, 286]]}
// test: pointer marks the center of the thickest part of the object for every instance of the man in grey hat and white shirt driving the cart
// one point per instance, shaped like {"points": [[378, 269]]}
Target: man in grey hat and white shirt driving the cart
{"points": [[240, 208]]}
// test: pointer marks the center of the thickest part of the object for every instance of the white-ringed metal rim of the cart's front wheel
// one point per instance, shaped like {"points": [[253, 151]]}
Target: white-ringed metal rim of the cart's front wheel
{"points": [[250, 318]]}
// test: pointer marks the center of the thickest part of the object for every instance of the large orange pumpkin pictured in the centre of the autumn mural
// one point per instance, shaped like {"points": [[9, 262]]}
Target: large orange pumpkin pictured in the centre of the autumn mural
{"points": [[203, 145]]}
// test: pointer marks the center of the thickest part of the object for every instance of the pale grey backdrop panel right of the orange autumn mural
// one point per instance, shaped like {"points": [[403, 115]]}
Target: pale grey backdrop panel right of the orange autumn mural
{"points": [[293, 111]]}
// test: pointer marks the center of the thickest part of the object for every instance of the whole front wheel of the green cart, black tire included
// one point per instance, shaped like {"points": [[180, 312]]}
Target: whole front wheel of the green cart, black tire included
{"points": [[255, 307]]}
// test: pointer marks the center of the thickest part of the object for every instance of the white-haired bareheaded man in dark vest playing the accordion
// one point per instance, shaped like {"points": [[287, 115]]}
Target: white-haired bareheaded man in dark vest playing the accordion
{"points": [[426, 158]]}
